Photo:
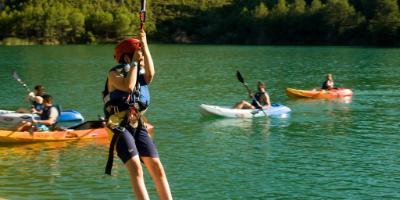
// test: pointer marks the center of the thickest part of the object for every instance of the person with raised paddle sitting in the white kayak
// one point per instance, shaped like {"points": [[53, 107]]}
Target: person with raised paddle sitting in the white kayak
{"points": [[260, 100]]}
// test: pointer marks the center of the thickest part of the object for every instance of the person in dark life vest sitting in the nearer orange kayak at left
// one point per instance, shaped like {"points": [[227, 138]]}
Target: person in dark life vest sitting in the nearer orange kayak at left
{"points": [[48, 118]]}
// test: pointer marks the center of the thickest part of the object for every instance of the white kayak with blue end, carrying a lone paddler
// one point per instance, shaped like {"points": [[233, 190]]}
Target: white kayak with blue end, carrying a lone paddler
{"points": [[277, 110]]}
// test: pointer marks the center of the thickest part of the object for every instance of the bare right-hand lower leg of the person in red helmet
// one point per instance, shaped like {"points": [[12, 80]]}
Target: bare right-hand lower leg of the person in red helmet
{"points": [[159, 177]]}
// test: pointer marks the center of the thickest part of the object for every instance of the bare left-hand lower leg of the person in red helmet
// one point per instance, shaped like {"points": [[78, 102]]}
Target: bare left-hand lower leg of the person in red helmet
{"points": [[135, 170]]}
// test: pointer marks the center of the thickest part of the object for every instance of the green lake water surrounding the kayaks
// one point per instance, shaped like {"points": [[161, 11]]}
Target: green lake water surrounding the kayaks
{"points": [[323, 150]]}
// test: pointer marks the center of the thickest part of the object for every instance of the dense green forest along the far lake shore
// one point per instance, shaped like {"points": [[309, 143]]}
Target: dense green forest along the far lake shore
{"points": [[343, 22]]}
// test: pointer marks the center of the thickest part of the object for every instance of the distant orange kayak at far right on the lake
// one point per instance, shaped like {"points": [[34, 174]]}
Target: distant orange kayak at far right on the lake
{"points": [[319, 94]]}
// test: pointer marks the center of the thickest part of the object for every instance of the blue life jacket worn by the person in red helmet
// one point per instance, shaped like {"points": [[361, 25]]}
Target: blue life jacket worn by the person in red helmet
{"points": [[117, 100]]}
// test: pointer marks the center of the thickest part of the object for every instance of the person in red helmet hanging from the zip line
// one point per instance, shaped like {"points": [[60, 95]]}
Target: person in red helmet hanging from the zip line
{"points": [[126, 97]]}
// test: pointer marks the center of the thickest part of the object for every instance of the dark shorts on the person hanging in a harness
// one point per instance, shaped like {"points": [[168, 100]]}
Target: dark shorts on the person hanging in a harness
{"points": [[134, 142]]}
